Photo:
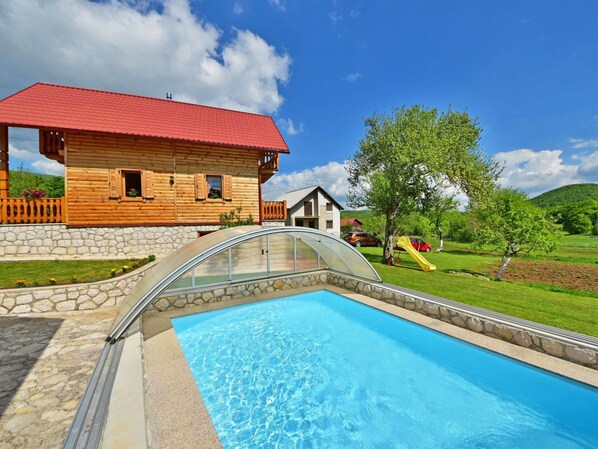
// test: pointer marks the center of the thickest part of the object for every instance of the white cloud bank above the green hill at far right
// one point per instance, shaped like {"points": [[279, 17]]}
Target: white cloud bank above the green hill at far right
{"points": [[536, 172]]}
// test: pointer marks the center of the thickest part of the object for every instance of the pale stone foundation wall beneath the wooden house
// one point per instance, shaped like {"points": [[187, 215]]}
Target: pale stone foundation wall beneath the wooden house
{"points": [[48, 241]]}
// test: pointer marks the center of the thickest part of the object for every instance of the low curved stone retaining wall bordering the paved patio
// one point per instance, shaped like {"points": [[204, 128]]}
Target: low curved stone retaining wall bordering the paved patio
{"points": [[60, 298]]}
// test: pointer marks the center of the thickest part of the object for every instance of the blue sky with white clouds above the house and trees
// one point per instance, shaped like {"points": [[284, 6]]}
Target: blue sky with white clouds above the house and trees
{"points": [[528, 71]]}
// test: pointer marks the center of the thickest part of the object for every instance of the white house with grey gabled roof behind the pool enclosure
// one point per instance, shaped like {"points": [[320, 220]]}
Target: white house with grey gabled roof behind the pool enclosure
{"points": [[313, 207]]}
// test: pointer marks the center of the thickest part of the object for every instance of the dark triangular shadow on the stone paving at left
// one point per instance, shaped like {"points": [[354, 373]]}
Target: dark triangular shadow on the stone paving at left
{"points": [[22, 341]]}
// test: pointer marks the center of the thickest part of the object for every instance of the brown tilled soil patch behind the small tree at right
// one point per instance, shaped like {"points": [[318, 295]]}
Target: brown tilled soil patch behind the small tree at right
{"points": [[582, 277]]}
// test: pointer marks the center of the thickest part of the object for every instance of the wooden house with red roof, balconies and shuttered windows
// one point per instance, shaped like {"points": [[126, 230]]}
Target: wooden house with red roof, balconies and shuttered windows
{"points": [[139, 161]]}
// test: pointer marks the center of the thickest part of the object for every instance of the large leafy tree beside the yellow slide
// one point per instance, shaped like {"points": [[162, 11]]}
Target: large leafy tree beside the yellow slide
{"points": [[406, 155]]}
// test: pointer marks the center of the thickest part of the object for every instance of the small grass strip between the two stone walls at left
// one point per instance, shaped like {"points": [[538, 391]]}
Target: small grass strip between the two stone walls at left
{"points": [[37, 272]]}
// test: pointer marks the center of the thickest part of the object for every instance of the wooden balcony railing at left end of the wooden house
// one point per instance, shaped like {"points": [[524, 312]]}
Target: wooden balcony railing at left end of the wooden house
{"points": [[22, 211]]}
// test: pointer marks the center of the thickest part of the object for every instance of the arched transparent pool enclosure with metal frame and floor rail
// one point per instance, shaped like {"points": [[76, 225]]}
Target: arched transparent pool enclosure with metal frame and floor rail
{"points": [[332, 253]]}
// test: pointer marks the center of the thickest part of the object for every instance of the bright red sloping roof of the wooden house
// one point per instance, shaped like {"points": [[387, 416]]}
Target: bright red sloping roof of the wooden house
{"points": [[72, 108]]}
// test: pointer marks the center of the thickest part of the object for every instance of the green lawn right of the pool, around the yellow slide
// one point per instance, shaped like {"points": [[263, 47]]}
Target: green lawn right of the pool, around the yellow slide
{"points": [[565, 310]]}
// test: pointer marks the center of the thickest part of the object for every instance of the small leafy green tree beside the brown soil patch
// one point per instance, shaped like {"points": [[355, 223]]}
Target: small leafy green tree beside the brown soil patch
{"points": [[514, 225]]}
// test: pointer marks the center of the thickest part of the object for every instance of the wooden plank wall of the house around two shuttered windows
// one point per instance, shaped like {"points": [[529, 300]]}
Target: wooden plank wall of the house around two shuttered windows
{"points": [[91, 156]]}
